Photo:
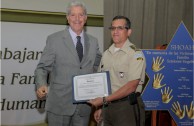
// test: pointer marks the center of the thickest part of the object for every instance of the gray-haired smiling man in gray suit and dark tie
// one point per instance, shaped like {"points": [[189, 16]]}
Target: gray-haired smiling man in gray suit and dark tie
{"points": [[61, 62]]}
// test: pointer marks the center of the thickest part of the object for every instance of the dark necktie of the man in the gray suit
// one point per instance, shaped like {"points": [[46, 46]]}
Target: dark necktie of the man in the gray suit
{"points": [[79, 48]]}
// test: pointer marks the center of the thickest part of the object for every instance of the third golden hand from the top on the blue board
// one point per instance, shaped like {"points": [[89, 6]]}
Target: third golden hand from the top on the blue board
{"points": [[166, 95]]}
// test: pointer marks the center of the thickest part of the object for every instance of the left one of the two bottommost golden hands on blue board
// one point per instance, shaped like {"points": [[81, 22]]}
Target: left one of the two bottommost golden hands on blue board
{"points": [[177, 110]]}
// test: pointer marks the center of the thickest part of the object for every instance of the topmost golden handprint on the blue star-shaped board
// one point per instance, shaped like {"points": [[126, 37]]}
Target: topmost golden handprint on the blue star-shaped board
{"points": [[156, 66]]}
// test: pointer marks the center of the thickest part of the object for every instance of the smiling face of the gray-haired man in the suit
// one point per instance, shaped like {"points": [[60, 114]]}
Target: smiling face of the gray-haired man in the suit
{"points": [[76, 19]]}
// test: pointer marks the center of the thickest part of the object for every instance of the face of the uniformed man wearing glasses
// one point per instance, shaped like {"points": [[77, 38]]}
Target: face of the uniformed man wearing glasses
{"points": [[119, 32]]}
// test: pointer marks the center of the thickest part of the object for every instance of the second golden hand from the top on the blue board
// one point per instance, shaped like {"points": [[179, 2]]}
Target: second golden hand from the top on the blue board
{"points": [[157, 80]]}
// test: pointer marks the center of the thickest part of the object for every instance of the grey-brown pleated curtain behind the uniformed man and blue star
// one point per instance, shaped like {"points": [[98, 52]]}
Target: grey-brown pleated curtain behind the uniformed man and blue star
{"points": [[154, 22]]}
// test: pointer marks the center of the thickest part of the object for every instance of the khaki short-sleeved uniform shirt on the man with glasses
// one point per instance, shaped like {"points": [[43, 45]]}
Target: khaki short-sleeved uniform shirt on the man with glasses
{"points": [[124, 65]]}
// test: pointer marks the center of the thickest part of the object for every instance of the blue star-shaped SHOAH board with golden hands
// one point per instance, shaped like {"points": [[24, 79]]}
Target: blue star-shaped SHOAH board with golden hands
{"points": [[170, 73]]}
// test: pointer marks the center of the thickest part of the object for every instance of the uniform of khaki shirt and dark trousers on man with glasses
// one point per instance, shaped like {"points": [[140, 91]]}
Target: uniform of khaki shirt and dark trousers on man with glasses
{"points": [[124, 64]]}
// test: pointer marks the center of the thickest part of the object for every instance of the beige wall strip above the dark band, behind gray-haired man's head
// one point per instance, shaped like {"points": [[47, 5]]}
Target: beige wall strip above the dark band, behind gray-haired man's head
{"points": [[94, 7]]}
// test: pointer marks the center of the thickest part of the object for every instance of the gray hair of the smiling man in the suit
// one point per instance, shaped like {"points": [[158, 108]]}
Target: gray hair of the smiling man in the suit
{"points": [[76, 3]]}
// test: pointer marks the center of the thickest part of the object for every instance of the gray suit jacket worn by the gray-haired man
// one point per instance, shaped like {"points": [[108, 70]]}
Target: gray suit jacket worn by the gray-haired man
{"points": [[60, 60]]}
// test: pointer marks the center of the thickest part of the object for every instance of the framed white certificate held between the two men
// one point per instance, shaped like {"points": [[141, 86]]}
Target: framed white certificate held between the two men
{"points": [[90, 86]]}
